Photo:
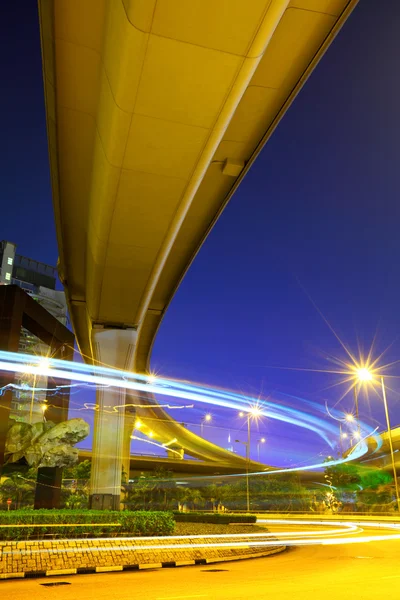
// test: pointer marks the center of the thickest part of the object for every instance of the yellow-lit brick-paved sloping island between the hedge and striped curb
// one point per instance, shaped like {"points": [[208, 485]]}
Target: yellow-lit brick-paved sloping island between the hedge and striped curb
{"points": [[63, 557]]}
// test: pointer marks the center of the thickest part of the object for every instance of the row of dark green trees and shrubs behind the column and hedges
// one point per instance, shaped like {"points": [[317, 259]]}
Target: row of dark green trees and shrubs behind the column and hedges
{"points": [[348, 487]]}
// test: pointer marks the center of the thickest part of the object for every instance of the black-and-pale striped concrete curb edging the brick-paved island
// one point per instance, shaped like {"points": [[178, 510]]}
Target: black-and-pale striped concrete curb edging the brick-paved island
{"points": [[138, 567]]}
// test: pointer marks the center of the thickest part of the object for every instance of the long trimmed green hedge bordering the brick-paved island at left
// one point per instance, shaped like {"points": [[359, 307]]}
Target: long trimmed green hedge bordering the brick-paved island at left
{"points": [[38, 524]]}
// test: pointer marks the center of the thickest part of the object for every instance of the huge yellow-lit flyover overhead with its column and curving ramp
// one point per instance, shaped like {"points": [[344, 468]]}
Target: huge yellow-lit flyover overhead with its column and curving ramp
{"points": [[156, 109]]}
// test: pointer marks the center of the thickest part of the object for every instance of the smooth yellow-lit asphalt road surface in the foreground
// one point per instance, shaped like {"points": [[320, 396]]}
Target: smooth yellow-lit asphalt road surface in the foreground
{"points": [[351, 571]]}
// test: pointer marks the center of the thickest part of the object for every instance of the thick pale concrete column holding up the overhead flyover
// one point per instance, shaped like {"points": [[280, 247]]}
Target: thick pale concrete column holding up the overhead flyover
{"points": [[114, 348]]}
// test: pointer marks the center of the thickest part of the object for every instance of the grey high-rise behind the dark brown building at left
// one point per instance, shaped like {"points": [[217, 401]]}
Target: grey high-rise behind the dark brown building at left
{"points": [[39, 281]]}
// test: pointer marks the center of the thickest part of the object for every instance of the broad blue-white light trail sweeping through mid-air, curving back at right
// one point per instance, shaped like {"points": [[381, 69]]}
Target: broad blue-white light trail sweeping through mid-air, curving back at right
{"points": [[83, 374]]}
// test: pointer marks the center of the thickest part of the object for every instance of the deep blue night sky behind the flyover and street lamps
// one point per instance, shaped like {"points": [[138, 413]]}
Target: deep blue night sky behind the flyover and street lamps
{"points": [[317, 217]]}
